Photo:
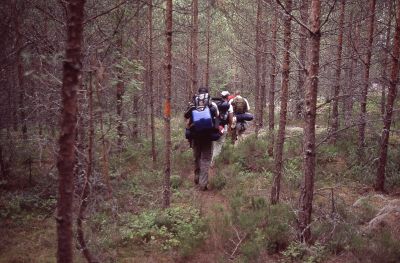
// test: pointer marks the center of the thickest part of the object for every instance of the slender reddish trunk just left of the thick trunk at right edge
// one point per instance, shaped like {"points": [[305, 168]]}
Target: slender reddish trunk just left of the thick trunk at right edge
{"points": [[364, 92]]}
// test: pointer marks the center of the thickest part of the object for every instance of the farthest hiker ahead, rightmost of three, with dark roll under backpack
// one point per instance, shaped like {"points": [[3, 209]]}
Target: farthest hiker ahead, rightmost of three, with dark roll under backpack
{"points": [[241, 114]]}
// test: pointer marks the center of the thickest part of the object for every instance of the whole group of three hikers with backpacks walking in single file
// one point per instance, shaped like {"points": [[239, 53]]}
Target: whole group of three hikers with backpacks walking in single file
{"points": [[208, 122]]}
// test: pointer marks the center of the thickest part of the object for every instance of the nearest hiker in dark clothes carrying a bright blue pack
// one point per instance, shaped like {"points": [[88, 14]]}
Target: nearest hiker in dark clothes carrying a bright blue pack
{"points": [[201, 132]]}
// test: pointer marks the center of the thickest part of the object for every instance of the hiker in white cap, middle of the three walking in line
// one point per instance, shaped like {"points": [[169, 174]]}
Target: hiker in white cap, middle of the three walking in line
{"points": [[225, 121]]}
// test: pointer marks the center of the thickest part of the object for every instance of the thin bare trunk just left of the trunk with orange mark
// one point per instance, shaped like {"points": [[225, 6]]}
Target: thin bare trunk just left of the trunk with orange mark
{"points": [[151, 95]]}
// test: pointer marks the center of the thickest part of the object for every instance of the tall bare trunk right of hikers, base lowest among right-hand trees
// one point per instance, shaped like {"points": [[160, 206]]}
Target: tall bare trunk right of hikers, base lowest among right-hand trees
{"points": [[311, 91]]}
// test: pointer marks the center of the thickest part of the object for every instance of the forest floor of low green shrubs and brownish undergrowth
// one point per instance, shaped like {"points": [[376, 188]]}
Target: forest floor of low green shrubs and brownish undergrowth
{"points": [[234, 222]]}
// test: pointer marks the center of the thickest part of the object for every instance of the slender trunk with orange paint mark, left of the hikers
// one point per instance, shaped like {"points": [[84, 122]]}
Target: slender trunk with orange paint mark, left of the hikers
{"points": [[167, 105]]}
